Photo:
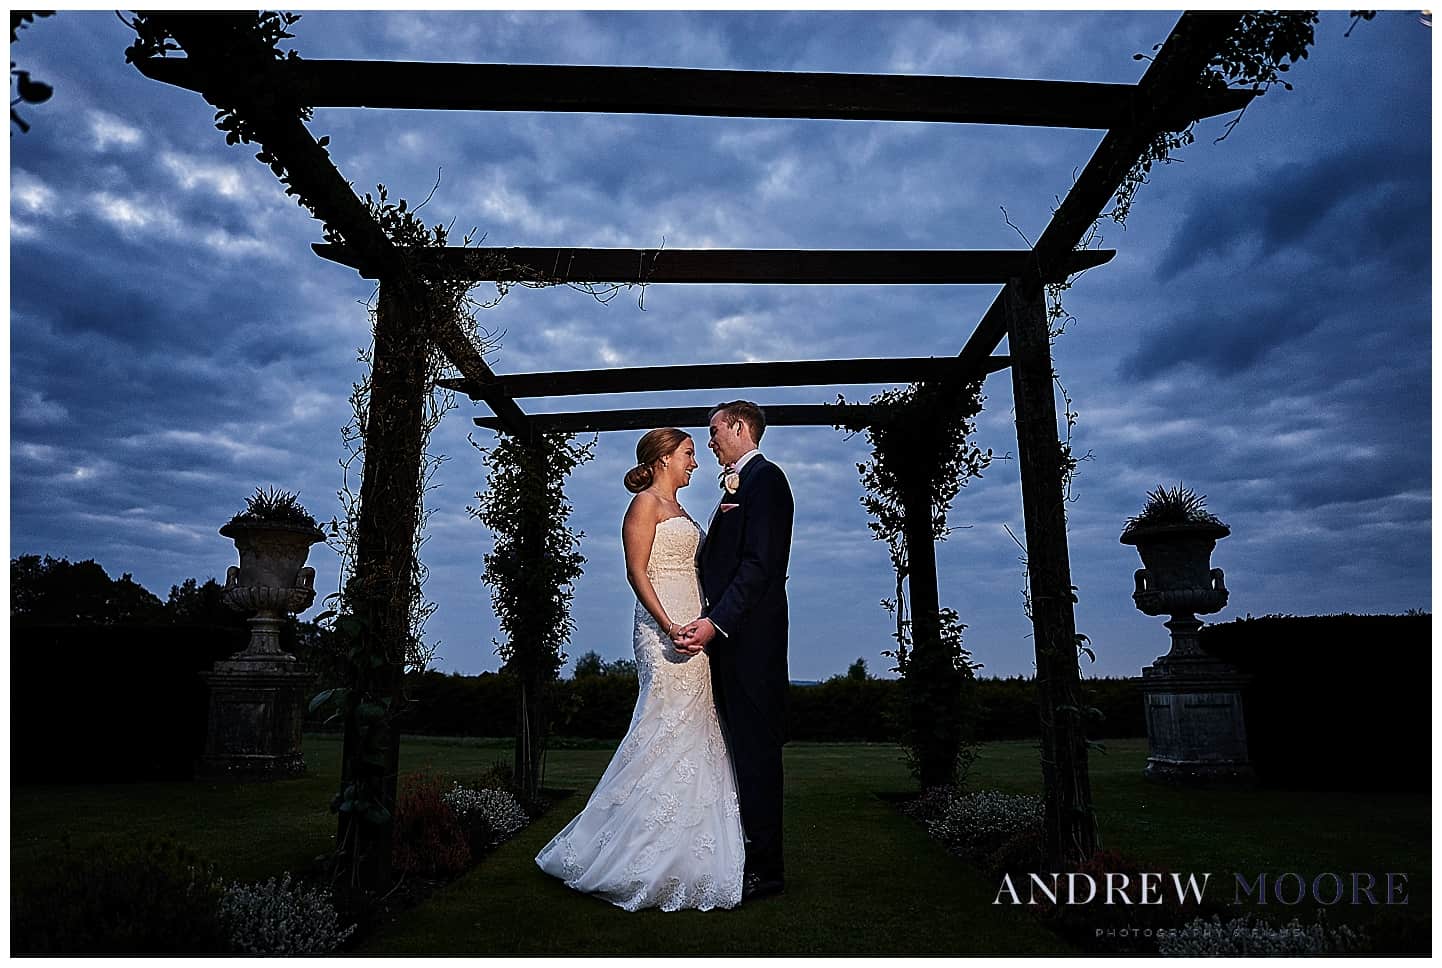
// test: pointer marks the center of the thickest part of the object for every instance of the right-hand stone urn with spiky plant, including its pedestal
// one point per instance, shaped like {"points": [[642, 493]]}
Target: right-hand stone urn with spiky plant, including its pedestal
{"points": [[1195, 723]]}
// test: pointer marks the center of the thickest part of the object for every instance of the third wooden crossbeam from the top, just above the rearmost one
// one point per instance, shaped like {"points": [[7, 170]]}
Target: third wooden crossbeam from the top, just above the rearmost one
{"points": [[836, 373]]}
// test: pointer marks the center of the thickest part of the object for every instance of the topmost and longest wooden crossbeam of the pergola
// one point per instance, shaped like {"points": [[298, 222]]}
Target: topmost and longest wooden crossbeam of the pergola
{"points": [[764, 94]]}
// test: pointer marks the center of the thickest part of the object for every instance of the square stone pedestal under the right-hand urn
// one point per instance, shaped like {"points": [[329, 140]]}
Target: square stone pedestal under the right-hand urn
{"points": [[1195, 723]]}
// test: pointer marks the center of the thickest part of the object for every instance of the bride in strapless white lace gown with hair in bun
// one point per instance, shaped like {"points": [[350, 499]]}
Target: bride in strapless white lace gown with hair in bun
{"points": [[664, 826]]}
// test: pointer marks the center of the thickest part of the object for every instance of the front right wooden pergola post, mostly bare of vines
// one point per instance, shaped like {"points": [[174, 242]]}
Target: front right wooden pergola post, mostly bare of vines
{"points": [[1069, 835]]}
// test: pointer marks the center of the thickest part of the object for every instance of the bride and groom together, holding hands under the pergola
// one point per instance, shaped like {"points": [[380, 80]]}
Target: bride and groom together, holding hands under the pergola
{"points": [[689, 813]]}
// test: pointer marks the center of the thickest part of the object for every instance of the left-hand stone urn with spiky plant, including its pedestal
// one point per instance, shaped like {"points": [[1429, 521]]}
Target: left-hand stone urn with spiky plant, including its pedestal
{"points": [[257, 696]]}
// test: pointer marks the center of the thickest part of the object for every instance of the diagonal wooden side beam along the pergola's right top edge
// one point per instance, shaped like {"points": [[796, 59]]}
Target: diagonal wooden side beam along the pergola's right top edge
{"points": [[1170, 79]]}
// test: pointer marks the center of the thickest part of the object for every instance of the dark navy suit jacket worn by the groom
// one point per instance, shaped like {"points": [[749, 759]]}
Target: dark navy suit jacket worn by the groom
{"points": [[743, 565]]}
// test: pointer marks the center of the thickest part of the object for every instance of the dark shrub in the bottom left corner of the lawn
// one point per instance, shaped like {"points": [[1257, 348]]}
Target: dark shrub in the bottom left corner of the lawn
{"points": [[122, 898]]}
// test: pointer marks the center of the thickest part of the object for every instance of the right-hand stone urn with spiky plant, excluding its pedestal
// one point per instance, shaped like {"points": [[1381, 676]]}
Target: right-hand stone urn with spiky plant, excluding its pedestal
{"points": [[1176, 534]]}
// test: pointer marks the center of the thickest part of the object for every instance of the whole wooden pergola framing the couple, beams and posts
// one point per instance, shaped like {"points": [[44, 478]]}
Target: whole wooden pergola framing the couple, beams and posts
{"points": [[1169, 97]]}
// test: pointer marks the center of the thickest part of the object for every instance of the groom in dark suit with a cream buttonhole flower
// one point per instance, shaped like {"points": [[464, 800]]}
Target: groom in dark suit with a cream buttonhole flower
{"points": [[743, 578]]}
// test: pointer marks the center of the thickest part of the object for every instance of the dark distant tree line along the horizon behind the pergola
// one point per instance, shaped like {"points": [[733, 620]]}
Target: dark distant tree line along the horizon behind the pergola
{"points": [[595, 703]]}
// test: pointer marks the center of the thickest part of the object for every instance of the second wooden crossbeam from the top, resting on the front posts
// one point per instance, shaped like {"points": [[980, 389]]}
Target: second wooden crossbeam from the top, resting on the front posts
{"points": [[777, 266]]}
